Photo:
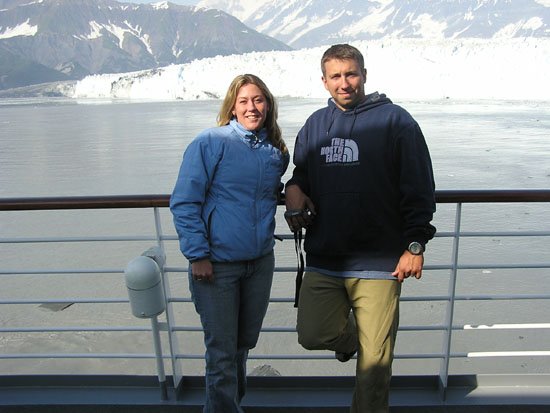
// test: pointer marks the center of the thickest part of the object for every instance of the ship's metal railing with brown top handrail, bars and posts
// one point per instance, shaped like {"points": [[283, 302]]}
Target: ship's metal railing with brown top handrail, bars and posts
{"points": [[458, 197]]}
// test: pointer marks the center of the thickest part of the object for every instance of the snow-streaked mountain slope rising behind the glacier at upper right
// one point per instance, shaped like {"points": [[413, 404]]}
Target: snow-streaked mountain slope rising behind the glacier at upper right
{"points": [[310, 23]]}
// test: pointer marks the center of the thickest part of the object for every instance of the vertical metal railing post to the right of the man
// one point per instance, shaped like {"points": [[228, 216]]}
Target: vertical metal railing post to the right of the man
{"points": [[444, 364]]}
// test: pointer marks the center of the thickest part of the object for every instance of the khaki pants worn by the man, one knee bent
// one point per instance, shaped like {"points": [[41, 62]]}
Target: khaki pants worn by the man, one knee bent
{"points": [[324, 324]]}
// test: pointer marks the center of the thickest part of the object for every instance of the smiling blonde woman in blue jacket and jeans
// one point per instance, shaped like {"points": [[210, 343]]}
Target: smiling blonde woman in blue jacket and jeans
{"points": [[224, 207]]}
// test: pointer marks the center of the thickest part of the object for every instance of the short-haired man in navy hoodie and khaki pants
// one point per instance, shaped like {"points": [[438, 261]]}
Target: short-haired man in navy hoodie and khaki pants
{"points": [[363, 170]]}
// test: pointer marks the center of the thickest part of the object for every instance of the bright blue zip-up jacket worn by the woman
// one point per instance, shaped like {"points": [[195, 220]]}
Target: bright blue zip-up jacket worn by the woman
{"points": [[225, 198]]}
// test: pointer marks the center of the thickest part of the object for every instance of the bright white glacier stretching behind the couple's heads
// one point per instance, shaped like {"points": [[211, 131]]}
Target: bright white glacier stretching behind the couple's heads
{"points": [[403, 68]]}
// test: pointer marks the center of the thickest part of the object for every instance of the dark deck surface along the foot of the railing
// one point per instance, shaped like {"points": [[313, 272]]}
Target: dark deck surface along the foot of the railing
{"points": [[60, 394]]}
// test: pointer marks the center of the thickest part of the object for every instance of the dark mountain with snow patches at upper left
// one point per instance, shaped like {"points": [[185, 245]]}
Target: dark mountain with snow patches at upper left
{"points": [[45, 40]]}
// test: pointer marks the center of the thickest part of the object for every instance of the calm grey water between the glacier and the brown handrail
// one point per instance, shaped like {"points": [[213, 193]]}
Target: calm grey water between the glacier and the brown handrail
{"points": [[63, 147]]}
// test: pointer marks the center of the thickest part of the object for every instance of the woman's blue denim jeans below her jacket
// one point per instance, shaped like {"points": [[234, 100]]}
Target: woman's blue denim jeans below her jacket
{"points": [[232, 309]]}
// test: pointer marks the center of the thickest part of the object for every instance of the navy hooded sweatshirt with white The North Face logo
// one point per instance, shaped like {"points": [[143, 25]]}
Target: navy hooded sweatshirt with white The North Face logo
{"points": [[369, 174]]}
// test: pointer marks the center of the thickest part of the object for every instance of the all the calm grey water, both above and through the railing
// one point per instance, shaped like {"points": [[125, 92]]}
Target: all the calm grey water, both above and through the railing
{"points": [[65, 148]]}
